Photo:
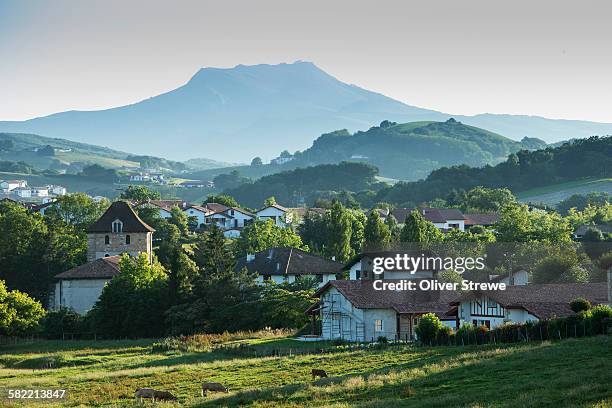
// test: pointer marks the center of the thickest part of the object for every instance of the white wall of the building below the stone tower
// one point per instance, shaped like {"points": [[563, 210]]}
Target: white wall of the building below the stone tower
{"points": [[78, 294]]}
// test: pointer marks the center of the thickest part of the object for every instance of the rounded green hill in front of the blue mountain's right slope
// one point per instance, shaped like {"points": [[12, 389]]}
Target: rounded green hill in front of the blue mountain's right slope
{"points": [[410, 151]]}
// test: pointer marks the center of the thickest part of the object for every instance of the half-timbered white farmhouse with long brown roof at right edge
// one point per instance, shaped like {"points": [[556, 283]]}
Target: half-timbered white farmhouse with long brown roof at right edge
{"points": [[523, 303]]}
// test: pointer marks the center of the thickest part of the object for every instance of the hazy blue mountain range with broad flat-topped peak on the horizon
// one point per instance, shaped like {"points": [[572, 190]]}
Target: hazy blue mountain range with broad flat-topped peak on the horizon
{"points": [[246, 111]]}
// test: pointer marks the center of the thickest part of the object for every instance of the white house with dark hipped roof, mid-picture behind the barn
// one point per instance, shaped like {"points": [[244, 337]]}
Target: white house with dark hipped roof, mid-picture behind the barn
{"points": [[289, 265]]}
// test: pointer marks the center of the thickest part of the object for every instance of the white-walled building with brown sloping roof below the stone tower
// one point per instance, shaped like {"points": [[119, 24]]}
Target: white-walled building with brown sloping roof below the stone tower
{"points": [[79, 288]]}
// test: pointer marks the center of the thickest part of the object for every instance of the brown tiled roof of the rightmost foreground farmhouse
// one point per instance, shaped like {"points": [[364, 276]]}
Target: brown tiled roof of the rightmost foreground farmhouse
{"points": [[545, 300]]}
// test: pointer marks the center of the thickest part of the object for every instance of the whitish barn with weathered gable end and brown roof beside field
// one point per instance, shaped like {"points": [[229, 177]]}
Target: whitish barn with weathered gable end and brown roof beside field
{"points": [[353, 310]]}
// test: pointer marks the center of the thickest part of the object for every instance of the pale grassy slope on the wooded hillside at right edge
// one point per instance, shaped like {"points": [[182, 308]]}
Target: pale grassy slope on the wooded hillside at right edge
{"points": [[555, 193]]}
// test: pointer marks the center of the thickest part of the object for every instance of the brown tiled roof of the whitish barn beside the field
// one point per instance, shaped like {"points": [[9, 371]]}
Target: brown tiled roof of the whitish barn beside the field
{"points": [[361, 294]]}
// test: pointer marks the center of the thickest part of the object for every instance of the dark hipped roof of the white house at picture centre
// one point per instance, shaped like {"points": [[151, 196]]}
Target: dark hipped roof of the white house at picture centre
{"points": [[289, 261]]}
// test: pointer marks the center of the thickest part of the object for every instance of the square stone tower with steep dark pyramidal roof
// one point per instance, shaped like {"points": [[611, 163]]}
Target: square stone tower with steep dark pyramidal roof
{"points": [[119, 230]]}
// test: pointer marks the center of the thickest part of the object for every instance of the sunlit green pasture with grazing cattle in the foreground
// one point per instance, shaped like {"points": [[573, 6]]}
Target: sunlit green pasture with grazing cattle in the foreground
{"points": [[568, 373]]}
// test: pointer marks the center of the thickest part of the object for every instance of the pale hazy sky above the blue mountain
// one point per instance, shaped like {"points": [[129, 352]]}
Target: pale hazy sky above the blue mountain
{"points": [[539, 57]]}
